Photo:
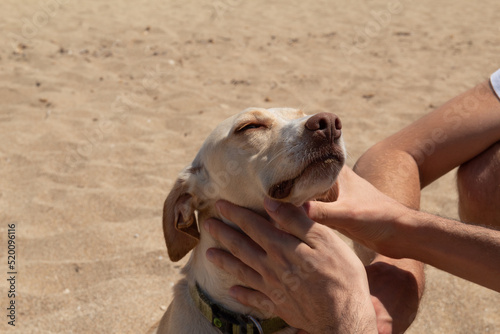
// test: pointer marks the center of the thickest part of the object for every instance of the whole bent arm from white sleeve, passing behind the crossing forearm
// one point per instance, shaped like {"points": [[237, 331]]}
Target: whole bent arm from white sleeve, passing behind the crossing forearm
{"points": [[407, 161]]}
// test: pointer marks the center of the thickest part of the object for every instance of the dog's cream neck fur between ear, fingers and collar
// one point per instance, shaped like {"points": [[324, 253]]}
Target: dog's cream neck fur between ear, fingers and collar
{"points": [[214, 281]]}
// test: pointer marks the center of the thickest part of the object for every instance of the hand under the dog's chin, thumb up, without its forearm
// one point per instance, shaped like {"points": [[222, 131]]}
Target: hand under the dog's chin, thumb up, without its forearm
{"points": [[362, 213]]}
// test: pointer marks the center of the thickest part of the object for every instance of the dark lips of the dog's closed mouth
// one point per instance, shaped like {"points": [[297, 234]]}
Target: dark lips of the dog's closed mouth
{"points": [[324, 165]]}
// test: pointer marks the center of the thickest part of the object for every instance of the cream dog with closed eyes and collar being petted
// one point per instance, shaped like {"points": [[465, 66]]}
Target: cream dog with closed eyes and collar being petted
{"points": [[280, 153]]}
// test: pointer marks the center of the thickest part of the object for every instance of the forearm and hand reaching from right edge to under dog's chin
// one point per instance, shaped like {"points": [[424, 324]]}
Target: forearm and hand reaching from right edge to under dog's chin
{"points": [[390, 228]]}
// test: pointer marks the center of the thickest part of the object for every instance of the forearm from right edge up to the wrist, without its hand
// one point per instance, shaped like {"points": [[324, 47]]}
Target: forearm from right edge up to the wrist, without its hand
{"points": [[468, 251]]}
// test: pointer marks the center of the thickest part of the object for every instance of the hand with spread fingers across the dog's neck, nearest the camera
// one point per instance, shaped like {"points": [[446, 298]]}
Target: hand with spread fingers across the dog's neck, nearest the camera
{"points": [[304, 273]]}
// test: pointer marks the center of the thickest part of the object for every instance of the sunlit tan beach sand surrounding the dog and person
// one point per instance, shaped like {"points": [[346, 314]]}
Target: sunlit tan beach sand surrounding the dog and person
{"points": [[103, 103]]}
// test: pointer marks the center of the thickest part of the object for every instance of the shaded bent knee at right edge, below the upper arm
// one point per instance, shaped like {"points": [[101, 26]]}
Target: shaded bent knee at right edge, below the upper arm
{"points": [[478, 182]]}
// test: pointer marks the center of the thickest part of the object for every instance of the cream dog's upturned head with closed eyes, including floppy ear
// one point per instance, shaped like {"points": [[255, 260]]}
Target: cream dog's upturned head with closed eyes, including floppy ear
{"points": [[280, 153]]}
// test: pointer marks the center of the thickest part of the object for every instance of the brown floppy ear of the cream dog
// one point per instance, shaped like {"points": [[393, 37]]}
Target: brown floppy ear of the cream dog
{"points": [[180, 226]]}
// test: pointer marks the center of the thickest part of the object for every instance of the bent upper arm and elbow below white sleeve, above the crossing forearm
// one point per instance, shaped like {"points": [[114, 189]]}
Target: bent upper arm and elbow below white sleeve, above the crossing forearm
{"points": [[434, 144]]}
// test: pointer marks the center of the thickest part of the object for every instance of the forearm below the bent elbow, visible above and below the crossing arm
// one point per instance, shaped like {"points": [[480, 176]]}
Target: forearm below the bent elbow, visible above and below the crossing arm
{"points": [[394, 173]]}
